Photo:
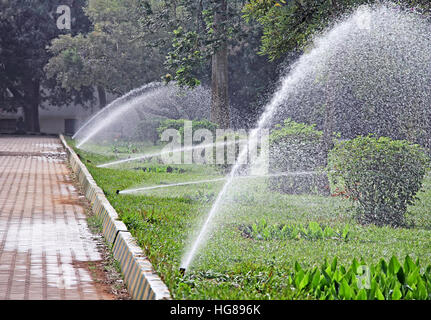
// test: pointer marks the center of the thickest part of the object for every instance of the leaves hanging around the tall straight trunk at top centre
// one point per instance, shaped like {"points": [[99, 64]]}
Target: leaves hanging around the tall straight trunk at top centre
{"points": [[195, 42]]}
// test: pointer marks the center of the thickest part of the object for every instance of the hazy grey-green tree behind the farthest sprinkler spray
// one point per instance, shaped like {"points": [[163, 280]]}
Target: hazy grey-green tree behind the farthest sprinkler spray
{"points": [[115, 56]]}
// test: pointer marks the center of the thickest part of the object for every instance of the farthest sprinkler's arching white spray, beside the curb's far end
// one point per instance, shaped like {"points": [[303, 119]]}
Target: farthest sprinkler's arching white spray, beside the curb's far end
{"points": [[154, 100]]}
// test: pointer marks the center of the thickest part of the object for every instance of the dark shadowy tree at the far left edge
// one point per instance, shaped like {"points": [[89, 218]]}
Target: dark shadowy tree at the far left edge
{"points": [[26, 28]]}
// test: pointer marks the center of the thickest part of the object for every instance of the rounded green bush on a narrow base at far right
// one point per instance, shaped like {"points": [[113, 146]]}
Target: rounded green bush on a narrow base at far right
{"points": [[381, 175]]}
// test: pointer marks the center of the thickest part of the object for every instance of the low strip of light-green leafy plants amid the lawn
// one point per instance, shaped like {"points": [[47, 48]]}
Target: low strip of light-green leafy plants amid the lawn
{"points": [[261, 230]]}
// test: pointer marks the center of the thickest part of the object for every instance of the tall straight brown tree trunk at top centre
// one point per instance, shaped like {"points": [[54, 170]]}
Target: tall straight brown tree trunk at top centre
{"points": [[220, 113]]}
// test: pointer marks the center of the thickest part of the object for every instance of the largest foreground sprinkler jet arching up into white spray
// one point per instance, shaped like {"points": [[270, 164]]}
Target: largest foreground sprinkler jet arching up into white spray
{"points": [[371, 70]]}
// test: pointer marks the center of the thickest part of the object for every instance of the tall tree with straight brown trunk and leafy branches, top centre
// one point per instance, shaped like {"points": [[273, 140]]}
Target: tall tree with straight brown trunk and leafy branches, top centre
{"points": [[203, 35]]}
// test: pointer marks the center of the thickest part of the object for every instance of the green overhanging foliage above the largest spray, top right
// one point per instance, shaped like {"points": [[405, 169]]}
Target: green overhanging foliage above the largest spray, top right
{"points": [[290, 25]]}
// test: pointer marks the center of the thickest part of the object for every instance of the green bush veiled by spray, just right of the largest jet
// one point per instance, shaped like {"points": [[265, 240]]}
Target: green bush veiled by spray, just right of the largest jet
{"points": [[297, 147]]}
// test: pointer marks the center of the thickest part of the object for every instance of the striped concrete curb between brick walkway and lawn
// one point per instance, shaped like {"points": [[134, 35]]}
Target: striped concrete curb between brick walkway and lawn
{"points": [[142, 281]]}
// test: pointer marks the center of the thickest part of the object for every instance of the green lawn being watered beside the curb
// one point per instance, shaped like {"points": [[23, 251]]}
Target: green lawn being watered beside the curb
{"points": [[234, 266]]}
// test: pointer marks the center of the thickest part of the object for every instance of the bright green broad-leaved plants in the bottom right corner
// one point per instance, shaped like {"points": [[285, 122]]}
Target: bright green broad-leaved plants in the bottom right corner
{"points": [[383, 281]]}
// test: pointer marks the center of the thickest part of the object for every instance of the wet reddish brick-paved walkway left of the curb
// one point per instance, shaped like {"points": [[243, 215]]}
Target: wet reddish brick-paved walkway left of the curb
{"points": [[45, 244]]}
